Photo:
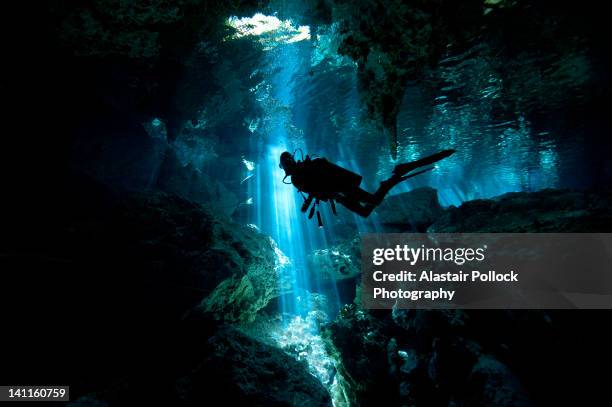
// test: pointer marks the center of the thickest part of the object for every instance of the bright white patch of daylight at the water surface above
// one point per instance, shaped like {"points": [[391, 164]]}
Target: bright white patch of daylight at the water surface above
{"points": [[270, 29]]}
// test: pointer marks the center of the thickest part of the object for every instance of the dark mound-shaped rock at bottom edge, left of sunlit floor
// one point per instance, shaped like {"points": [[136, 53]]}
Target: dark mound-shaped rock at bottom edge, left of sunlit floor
{"points": [[242, 371]]}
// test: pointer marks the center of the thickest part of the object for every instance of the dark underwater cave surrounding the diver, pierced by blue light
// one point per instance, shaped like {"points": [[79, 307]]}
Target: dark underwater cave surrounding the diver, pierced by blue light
{"points": [[155, 253]]}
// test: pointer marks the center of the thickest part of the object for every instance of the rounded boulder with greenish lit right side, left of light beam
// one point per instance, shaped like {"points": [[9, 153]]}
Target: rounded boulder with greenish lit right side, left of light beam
{"points": [[236, 268]]}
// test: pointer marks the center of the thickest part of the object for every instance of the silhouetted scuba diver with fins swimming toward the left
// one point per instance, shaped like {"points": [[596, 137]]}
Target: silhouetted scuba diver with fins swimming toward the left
{"points": [[324, 181]]}
